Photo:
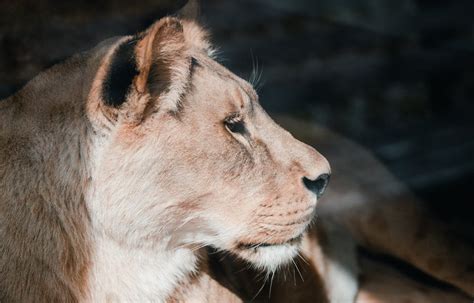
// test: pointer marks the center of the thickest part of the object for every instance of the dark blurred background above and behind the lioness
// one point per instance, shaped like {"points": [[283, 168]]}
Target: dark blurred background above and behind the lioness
{"points": [[395, 76]]}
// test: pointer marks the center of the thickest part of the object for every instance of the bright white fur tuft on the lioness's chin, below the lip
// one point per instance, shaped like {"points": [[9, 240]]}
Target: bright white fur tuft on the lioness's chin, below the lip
{"points": [[269, 258]]}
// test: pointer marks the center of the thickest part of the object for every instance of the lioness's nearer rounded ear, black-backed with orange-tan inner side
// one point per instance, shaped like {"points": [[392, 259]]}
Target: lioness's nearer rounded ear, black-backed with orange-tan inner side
{"points": [[146, 64]]}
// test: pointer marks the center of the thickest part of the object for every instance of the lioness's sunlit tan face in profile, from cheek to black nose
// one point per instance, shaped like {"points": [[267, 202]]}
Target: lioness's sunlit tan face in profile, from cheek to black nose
{"points": [[211, 168]]}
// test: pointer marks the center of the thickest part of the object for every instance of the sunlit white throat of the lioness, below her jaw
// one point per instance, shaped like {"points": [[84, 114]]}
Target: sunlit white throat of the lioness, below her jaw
{"points": [[124, 274]]}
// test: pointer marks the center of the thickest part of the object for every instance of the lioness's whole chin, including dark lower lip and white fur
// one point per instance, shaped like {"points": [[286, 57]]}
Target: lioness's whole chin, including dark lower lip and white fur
{"points": [[270, 257]]}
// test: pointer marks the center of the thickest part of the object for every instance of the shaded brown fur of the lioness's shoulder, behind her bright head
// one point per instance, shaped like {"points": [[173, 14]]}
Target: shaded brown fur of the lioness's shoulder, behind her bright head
{"points": [[44, 229]]}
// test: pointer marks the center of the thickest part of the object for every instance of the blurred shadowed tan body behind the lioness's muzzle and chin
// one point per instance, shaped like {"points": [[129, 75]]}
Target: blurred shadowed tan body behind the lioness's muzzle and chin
{"points": [[352, 199]]}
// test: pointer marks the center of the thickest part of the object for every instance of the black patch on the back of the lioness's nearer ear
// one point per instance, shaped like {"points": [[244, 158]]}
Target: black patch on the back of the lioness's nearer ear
{"points": [[122, 70]]}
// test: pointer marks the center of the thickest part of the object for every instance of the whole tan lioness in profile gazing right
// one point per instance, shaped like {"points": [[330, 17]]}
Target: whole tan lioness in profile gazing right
{"points": [[119, 165]]}
